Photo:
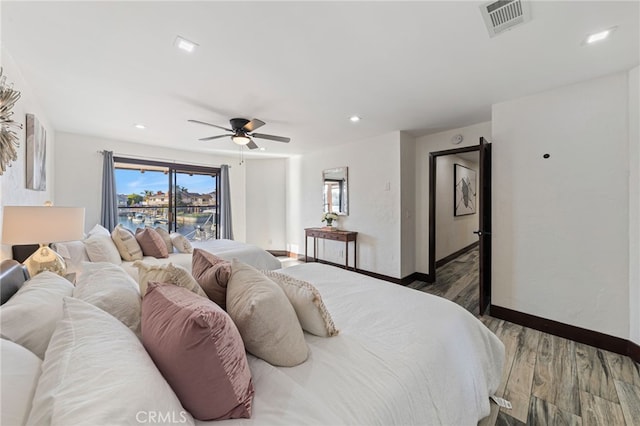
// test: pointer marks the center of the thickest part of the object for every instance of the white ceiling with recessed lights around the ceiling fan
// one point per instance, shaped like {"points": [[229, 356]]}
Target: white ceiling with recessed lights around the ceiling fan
{"points": [[302, 67]]}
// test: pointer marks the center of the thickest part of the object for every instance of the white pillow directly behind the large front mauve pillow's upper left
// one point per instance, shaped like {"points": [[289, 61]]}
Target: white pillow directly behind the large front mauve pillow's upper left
{"points": [[111, 289]]}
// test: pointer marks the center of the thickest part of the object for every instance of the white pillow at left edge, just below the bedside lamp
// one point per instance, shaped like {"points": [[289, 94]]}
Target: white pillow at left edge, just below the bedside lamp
{"points": [[29, 317]]}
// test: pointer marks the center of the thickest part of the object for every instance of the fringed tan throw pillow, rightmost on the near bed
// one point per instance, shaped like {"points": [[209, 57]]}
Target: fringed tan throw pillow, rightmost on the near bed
{"points": [[307, 302]]}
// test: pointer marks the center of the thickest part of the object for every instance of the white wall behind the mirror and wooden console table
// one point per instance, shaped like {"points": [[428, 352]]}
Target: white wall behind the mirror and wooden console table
{"points": [[374, 201]]}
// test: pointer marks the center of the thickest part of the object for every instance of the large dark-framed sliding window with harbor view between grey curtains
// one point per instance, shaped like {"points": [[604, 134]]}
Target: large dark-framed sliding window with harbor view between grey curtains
{"points": [[177, 197]]}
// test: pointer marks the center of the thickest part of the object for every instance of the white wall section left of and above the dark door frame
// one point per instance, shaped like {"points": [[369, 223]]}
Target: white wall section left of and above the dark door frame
{"points": [[424, 145]]}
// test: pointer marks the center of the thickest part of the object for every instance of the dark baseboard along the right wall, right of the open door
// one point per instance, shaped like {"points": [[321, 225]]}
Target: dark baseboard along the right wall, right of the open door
{"points": [[577, 334]]}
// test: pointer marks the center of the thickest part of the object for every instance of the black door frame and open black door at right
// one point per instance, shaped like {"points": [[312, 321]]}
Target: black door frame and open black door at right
{"points": [[483, 230]]}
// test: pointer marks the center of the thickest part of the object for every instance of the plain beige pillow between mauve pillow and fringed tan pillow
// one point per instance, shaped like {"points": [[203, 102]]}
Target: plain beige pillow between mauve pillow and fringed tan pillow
{"points": [[265, 318]]}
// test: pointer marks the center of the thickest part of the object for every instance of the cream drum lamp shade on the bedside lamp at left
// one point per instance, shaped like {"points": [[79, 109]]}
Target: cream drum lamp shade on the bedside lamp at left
{"points": [[39, 224]]}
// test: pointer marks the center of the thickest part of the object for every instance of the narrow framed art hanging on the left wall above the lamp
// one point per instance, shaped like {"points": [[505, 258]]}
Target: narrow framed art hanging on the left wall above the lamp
{"points": [[36, 148]]}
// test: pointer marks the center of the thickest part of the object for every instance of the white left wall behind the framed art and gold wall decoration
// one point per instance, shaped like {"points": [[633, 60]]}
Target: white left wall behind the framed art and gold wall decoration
{"points": [[13, 190]]}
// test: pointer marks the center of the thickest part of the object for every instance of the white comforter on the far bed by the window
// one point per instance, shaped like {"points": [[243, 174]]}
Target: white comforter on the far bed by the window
{"points": [[226, 249]]}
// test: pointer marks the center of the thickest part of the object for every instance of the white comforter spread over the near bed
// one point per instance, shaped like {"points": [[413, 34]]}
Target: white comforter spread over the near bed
{"points": [[402, 357]]}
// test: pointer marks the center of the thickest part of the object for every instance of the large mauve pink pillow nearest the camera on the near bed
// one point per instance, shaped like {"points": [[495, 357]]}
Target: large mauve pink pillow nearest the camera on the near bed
{"points": [[198, 349]]}
